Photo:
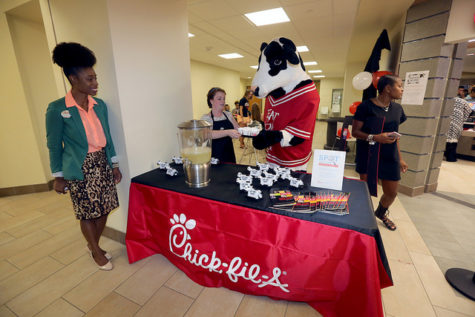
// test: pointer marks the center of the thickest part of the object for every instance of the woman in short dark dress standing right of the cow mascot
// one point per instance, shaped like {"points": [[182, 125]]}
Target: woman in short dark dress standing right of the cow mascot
{"points": [[388, 115]]}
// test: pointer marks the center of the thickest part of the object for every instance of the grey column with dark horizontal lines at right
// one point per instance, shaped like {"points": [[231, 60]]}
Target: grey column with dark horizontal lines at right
{"points": [[424, 48]]}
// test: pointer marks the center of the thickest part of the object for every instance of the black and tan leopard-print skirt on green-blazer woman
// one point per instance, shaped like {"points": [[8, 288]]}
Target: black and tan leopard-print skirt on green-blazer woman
{"points": [[95, 195]]}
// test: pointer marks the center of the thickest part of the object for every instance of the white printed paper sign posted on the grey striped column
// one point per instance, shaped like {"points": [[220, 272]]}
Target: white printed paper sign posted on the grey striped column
{"points": [[415, 88]]}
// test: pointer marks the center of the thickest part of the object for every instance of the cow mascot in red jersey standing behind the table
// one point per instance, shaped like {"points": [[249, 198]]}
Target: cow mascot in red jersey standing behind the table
{"points": [[291, 105]]}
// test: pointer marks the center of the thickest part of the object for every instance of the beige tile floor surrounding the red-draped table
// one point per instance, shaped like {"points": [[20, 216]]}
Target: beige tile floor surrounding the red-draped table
{"points": [[45, 270]]}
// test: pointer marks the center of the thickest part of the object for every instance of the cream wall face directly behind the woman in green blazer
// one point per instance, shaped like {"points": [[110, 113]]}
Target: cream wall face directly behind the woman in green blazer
{"points": [[68, 26]]}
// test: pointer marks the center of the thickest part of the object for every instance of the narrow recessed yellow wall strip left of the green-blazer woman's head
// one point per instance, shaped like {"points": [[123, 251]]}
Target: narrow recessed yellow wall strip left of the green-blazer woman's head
{"points": [[33, 58]]}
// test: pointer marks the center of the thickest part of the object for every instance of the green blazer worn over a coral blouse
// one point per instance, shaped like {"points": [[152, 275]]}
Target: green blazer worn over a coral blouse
{"points": [[67, 140]]}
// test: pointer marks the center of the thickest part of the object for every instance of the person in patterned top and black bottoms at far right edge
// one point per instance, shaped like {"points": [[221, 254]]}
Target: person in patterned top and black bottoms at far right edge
{"points": [[460, 114]]}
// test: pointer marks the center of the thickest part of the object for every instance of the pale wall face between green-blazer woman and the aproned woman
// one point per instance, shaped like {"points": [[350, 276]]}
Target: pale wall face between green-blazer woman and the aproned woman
{"points": [[151, 56]]}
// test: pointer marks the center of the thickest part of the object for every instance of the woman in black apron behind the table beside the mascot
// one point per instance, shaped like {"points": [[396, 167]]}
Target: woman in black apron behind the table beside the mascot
{"points": [[224, 126]]}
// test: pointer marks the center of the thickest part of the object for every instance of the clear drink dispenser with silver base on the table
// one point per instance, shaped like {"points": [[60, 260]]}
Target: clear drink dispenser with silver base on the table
{"points": [[194, 137]]}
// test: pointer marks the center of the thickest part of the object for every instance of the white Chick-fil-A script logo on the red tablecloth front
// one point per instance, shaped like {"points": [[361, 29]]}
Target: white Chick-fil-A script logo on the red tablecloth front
{"points": [[180, 245]]}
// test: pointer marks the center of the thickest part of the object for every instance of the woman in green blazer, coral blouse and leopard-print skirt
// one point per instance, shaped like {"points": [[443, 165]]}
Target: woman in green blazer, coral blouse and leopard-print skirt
{"points": [[81, 152]]}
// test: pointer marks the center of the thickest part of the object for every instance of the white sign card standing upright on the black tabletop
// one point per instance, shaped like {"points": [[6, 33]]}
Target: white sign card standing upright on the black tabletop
{"points": [[328, 169]]}
